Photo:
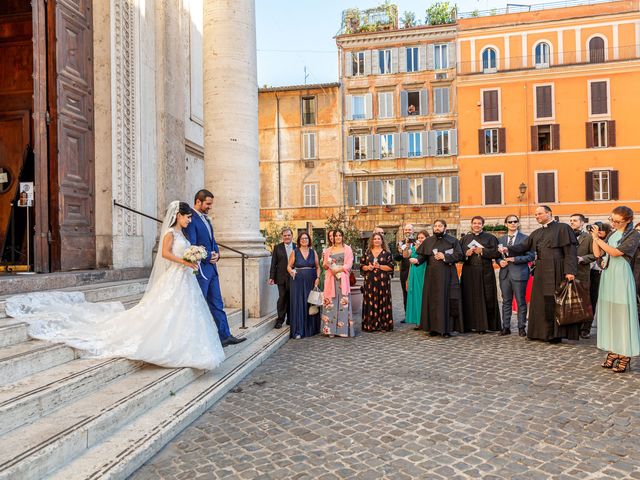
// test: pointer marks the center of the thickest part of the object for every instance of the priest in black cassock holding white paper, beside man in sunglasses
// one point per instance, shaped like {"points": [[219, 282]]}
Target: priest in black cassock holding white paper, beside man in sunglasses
{"points": [[478, 280]]}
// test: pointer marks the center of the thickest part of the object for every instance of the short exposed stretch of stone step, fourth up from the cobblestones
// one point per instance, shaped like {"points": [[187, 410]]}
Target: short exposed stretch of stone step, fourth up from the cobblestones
{"points": [[26, 358]]}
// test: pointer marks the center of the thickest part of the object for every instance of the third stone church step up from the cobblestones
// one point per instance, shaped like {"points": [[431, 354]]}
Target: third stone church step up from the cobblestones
{"points": [[42, 393]]}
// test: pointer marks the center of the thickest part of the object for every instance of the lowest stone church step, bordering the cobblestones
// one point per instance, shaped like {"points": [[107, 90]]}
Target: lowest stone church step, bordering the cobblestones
{"points": [[109, 461]]}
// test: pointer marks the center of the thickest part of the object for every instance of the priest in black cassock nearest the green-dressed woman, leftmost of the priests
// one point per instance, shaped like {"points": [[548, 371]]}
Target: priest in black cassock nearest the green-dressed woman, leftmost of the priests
{"points": [[441, 305]]}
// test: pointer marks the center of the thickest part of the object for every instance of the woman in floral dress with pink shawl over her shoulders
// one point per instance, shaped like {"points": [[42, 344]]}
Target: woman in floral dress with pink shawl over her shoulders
{"points": [[336, 313]]}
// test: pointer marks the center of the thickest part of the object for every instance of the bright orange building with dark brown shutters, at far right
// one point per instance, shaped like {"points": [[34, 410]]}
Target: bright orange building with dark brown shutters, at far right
{"points": [[548, 103]]}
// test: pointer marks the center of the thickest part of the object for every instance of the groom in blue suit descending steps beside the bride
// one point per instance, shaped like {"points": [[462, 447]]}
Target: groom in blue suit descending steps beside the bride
{"points": [[200, 232]]}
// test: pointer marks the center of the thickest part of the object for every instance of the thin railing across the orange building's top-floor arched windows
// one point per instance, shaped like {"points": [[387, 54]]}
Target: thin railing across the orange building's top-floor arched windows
{"points": [[555, 60]]}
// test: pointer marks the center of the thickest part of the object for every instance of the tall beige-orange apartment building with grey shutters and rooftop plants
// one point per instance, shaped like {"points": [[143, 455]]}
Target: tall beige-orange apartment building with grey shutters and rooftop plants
{"points": [[398, 88]]}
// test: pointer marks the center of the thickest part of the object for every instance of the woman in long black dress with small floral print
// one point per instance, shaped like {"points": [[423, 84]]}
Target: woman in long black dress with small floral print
{"points": [[376, 266]]}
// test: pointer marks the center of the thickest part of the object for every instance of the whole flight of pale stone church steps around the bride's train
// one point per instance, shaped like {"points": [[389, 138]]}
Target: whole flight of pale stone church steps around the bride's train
{"points": [[105, 416]]}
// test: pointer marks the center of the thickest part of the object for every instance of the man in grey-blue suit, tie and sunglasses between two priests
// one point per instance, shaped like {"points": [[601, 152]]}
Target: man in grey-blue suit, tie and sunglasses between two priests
{"points": [[514, 274]]}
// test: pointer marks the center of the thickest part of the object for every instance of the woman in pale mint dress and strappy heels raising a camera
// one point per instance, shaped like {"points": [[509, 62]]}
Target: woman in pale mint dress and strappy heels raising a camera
{"points": [[617, 310]]}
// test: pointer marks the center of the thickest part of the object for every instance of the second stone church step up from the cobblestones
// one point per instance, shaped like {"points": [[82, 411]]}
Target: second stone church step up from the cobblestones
{"points": [[37, 449]]}
